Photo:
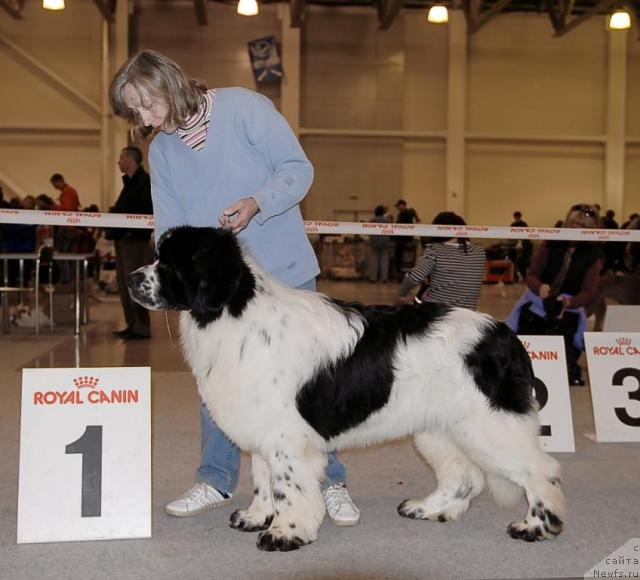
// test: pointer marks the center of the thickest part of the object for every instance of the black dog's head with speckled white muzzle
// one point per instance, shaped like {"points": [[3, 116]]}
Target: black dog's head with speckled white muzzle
{"points": [[197, 269]]}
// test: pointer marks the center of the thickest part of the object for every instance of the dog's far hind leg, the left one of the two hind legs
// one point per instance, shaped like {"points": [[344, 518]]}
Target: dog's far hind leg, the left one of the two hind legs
{"points": [[459, 481]]}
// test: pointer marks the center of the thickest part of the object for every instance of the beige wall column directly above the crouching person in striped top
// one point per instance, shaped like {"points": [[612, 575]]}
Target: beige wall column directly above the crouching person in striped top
{"points": [[456, 112]]}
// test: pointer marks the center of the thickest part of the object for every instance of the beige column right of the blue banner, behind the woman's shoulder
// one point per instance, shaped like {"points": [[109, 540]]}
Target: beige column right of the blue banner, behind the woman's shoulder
{"points": [[290, 86]]}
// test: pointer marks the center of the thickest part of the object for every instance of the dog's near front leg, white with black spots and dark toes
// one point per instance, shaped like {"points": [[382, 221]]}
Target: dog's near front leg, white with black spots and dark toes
{"points": [[297, 465]]}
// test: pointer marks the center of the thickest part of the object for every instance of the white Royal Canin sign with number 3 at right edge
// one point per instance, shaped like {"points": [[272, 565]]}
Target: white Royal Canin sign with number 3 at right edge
{"points": [[614, 374]]}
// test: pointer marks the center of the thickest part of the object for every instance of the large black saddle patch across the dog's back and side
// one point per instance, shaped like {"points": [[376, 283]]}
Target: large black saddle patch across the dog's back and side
{"points": [[344, 394]]}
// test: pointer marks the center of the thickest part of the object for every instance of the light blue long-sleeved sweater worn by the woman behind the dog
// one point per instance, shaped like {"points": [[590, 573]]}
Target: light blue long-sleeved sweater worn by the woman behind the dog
{"points": [[250, 152]]}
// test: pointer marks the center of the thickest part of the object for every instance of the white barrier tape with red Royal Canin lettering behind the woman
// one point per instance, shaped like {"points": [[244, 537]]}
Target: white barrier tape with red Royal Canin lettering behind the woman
{"points": [[113, 220]]}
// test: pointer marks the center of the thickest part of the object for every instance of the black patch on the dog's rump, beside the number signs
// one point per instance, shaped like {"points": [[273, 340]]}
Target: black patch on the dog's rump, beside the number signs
{"points": [[502, 369]]}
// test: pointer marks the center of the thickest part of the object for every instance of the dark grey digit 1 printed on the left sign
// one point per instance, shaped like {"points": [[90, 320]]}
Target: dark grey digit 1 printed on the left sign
{"points": [[90, 446]]}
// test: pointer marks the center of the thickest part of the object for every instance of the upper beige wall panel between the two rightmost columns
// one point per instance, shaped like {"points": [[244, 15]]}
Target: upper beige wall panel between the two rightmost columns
{"points": [[523, 80]]}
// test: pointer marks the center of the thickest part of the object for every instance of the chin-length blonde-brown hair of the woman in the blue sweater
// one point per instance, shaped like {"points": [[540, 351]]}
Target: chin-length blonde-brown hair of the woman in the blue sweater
{"points": [[156, 78]]}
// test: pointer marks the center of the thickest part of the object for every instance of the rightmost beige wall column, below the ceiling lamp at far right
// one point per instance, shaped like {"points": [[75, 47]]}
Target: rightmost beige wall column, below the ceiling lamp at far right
{"points": [[615, 130]]}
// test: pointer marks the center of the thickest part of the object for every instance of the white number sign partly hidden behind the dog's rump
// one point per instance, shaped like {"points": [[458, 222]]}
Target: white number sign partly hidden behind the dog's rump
{"points": [[551, 388]]}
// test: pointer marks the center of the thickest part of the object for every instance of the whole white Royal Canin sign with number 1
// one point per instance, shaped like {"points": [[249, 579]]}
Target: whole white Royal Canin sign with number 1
{"points": [[85, 455]]}
